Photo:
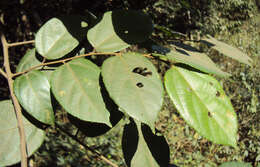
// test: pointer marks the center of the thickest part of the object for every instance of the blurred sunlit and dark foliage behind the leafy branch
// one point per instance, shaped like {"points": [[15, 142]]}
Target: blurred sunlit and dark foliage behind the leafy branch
{"points": [[236, 22]]}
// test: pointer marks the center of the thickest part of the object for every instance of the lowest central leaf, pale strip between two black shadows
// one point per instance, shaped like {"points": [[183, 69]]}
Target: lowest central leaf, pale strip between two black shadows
{"points": [[157, 145]]}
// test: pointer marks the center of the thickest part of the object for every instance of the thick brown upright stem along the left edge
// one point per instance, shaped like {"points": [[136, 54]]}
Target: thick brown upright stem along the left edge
{"points": [[16, 104]]}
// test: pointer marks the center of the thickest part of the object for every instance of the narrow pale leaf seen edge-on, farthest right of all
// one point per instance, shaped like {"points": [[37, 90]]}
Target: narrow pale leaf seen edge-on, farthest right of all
{"points": [[227, 50]]}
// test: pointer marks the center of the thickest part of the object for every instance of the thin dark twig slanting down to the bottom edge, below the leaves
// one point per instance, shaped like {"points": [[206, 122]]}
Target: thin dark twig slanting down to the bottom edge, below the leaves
{"points": [[87, 147]]}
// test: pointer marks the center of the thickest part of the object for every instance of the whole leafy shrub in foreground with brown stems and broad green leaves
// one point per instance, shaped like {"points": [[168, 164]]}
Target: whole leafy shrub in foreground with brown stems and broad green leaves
{"points": [[126, 84]]}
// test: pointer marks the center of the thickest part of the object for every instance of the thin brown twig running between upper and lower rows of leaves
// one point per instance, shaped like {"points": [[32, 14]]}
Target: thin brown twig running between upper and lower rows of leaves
{"points": [[62, 61]]}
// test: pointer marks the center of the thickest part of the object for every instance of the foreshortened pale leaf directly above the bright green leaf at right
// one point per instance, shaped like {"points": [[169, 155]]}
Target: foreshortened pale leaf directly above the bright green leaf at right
{"points": [[190, 56]]}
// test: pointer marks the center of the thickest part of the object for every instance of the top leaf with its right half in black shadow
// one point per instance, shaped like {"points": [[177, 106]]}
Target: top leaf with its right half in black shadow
{"points": [[118, 29]]}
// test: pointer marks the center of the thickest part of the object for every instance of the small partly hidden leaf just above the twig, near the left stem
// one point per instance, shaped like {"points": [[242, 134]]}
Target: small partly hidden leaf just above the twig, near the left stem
{"points": [[29, 60]]}
